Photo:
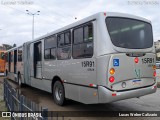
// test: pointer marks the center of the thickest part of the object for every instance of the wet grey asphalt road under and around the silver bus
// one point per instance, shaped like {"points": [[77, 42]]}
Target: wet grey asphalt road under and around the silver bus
{"points": [[146, 103]]}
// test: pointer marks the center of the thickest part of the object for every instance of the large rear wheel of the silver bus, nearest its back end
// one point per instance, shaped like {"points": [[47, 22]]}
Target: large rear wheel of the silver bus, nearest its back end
{"points": [[58, 93]]}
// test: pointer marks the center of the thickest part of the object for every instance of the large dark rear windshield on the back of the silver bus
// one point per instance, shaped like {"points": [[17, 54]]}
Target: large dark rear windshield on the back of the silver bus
{"points": [[129, 33]]}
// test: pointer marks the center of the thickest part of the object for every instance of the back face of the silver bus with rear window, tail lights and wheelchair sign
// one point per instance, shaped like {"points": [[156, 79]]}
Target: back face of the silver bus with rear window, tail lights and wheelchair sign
{"points": [[130, 64]]}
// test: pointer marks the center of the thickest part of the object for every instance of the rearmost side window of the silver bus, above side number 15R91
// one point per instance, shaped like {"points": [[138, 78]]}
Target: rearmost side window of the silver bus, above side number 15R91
{"points": [[83, 48]]}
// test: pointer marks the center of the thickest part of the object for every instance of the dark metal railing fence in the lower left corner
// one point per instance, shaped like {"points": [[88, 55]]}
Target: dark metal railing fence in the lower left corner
{"points": [[19, 104]]}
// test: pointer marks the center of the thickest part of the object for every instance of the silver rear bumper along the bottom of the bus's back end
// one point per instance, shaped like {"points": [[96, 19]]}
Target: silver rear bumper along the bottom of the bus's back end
{"points": [[107, 96]]}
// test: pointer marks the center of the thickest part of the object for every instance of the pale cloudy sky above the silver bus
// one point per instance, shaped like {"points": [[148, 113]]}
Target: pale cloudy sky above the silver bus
{"points": [[16, 24]]}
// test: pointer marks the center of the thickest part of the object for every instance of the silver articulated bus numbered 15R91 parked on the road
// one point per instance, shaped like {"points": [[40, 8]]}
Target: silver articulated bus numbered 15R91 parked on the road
{"points": [[103, 58]]}
